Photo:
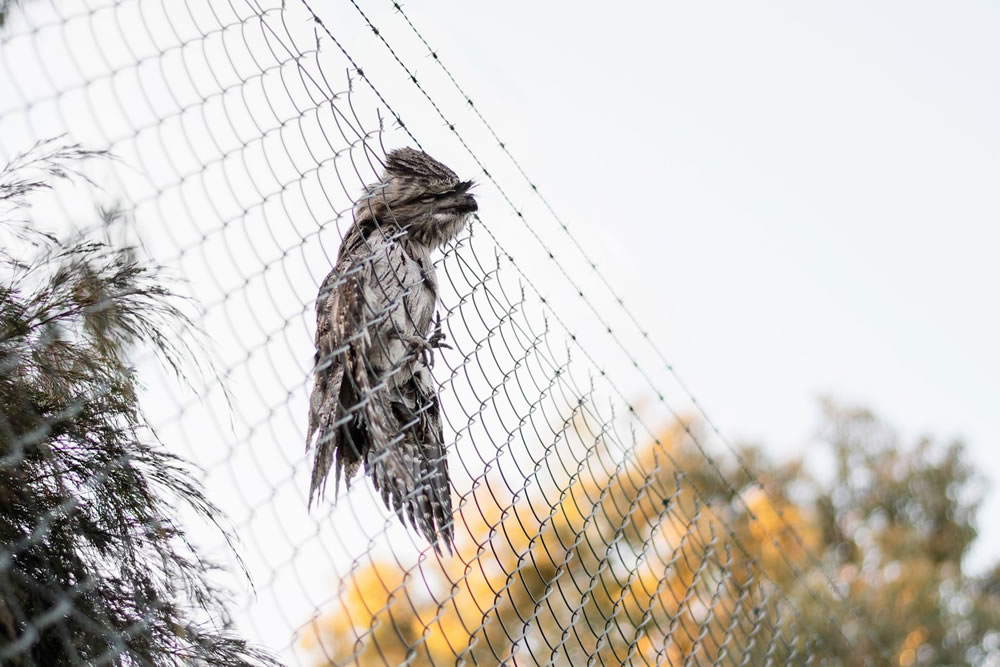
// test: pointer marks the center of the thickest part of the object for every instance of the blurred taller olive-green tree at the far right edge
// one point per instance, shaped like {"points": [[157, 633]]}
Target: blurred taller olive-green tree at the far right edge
{"points": [[898, 523]]}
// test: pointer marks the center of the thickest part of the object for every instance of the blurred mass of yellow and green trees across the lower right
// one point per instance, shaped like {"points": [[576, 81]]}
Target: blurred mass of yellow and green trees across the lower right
{"points": [[657, 556]]}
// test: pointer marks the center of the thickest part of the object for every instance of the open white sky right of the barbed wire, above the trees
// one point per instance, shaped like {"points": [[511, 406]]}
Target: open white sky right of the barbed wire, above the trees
{"points": [[798, 198]]}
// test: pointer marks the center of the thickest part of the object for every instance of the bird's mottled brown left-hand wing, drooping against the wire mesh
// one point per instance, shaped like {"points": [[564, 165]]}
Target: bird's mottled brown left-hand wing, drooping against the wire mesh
{"points": [[358, 363]]}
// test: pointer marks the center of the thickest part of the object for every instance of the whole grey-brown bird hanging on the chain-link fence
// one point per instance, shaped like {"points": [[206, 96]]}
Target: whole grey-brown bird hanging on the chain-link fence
{"points": [[374, 401]]}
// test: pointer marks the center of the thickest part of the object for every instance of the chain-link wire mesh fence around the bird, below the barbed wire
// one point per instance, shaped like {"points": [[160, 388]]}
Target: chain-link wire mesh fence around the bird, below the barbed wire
{"points": [[244, 134]]}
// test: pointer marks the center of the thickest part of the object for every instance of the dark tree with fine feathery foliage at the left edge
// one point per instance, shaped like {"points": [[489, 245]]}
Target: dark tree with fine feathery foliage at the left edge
{"points": [[94, 566]]}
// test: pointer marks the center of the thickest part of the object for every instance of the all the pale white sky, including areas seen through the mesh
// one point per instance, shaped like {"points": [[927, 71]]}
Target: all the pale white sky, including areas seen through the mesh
{"points": [[794, 200]]}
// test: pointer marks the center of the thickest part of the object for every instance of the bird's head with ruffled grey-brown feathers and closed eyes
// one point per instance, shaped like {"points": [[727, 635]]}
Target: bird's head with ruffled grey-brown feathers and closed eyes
{"points": [[421, 195]]}
